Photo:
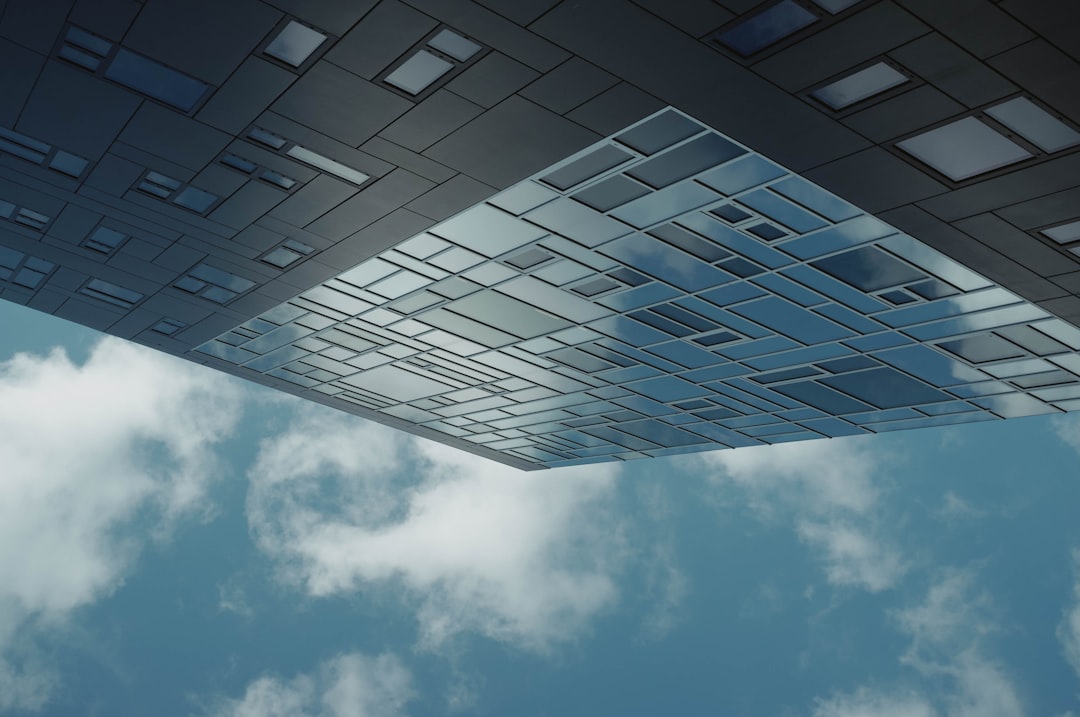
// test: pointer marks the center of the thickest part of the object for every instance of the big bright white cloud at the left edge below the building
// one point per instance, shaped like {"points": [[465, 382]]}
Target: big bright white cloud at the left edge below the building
{"points": [[88, 452]]}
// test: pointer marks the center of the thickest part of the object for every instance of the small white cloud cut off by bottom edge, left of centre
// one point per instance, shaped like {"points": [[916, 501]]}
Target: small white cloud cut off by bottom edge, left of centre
{"points": [[350, 685]]}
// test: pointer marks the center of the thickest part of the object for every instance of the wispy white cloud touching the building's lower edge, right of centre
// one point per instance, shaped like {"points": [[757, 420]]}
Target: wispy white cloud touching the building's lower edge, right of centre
{"points": [[826, 490]]}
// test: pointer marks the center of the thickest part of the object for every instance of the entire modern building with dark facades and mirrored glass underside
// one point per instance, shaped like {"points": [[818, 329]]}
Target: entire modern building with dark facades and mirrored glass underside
{"points": [[552, 233]]}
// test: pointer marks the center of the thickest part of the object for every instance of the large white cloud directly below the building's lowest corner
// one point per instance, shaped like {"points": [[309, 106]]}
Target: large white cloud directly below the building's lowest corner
{"points": [[523, 558]]}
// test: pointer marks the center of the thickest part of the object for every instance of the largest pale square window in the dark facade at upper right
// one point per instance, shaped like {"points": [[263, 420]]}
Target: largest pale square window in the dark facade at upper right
{"points": [[964, 150]]}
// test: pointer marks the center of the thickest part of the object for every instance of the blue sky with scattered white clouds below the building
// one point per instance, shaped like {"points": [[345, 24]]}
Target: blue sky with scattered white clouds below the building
{"points": [[178, 543]]}
